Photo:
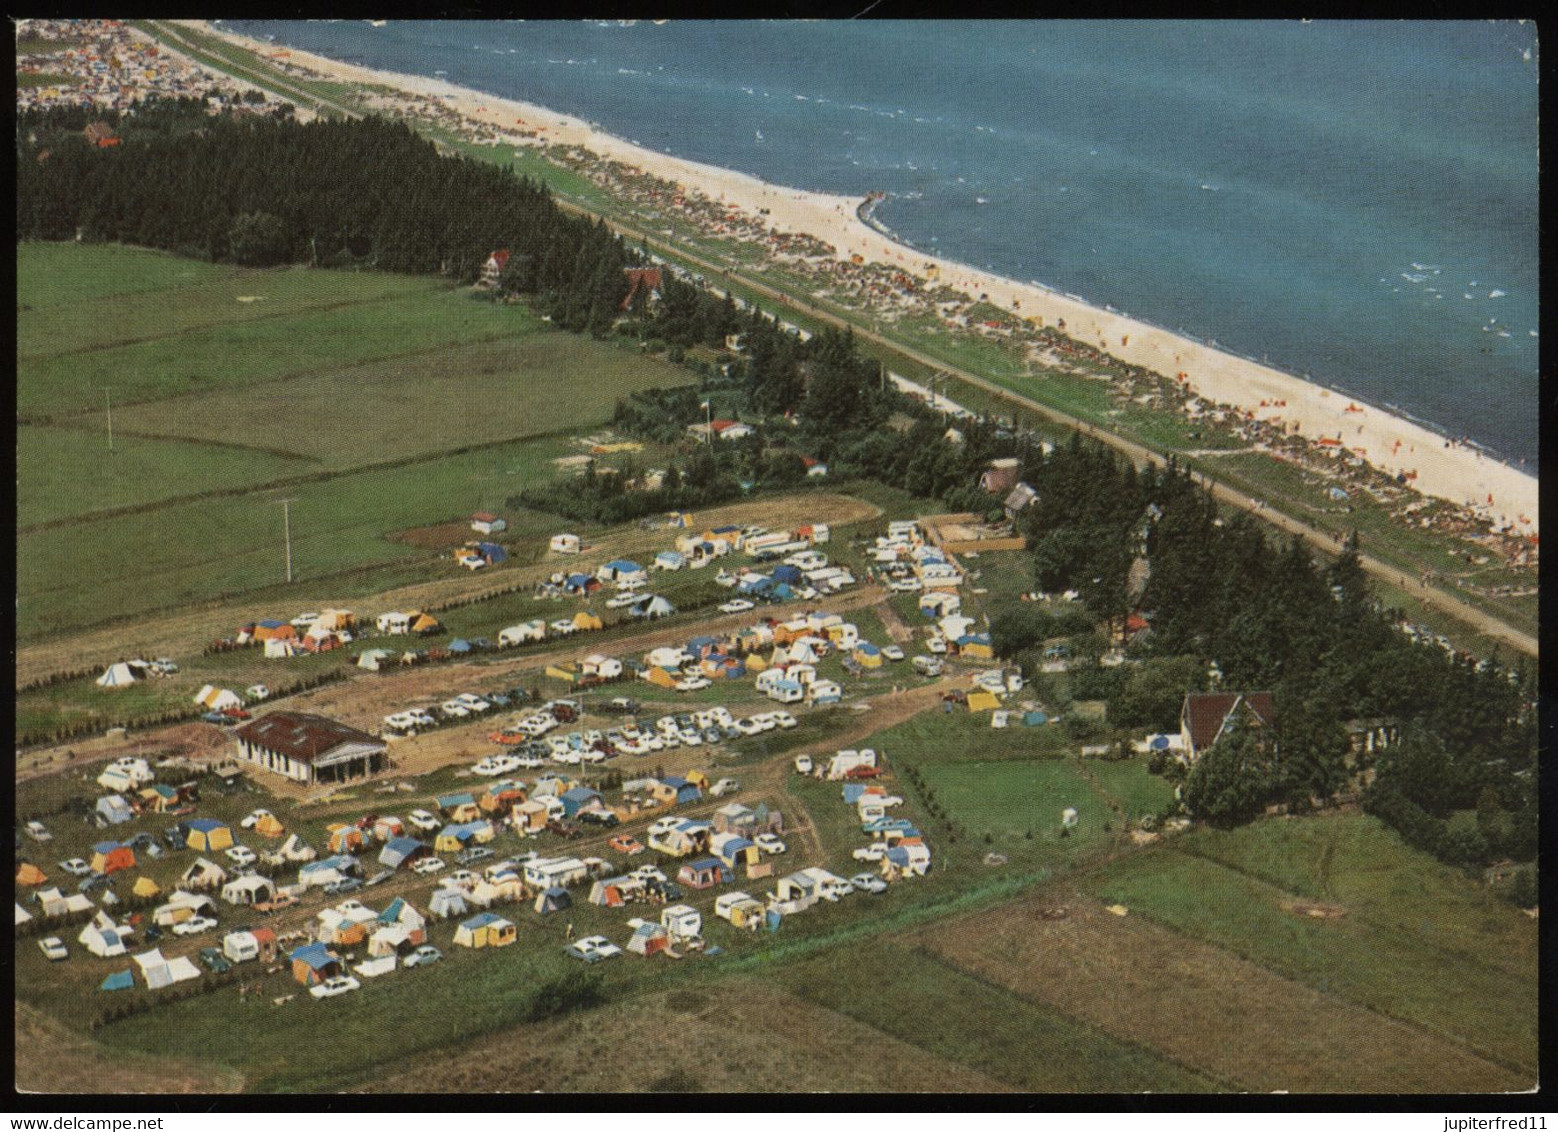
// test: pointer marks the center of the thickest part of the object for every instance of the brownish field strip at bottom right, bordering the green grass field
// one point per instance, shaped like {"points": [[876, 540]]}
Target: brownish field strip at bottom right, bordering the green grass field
{"points": [[1204, 1007]]}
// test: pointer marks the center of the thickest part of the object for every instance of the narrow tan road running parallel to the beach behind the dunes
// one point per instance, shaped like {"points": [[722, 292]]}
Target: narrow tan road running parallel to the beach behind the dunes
{"points": [[1448, 603]]}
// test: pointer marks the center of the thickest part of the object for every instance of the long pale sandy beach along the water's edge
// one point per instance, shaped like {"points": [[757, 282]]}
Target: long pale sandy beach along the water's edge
{"points": [[1433, 465]]}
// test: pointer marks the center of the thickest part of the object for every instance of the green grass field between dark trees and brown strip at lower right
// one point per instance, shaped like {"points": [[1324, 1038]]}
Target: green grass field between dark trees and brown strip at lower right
{"points": [[1419, 941]]}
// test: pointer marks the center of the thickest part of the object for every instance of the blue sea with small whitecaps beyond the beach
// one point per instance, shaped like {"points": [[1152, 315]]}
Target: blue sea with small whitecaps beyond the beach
{"points": [[1353, 202]]}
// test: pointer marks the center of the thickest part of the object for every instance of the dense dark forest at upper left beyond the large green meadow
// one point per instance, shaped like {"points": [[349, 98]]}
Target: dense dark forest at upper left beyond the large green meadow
{"points": [[264, 191]]}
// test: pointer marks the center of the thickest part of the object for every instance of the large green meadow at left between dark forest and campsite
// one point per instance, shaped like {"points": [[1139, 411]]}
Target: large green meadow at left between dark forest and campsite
{"points": [[414, 404]]}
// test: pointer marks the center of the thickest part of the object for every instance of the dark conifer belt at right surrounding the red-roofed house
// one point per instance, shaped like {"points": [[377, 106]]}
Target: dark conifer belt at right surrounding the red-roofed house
{"points": [[1218, 589]]}
